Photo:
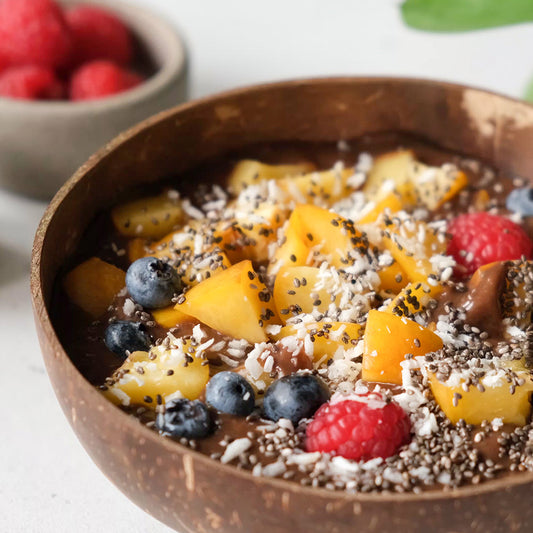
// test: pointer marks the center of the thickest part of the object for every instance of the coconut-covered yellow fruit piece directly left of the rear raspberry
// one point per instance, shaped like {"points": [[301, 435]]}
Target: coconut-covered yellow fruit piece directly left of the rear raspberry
{"points": [[412, 243]]}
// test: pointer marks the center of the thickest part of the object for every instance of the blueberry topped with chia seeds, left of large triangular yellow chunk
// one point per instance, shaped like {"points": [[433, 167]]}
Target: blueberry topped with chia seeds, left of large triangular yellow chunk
{"points": [[152, 283]]}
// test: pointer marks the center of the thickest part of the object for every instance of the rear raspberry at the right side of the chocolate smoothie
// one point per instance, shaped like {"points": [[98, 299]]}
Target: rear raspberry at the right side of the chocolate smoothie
{"points": [[482, 238]]}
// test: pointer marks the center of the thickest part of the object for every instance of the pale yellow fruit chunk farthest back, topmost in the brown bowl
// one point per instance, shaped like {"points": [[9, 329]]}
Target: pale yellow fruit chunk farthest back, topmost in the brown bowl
{"points": [[391, 167]]}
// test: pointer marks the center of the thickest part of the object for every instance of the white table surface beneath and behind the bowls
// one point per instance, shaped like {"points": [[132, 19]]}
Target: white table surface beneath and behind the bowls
{"points": [[47, 481]]}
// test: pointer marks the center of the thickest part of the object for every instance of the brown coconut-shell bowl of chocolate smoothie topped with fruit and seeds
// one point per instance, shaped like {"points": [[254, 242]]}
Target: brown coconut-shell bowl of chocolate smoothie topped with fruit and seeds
{"points": [[303, 306]]}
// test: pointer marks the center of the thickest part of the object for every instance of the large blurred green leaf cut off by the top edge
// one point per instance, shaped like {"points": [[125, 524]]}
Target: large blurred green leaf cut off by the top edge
{"points": [[465, 15]]}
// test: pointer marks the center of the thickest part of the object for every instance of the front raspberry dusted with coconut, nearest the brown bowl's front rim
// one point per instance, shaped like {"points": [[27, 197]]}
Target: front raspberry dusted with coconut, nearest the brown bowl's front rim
{"points": [[359, 429]]}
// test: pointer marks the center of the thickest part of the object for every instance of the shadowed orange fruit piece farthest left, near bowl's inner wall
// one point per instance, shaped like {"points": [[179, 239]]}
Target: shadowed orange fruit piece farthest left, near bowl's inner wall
{"points": [[93, 285]]}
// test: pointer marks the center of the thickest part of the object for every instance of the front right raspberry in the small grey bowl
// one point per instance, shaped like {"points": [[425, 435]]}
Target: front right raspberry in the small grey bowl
{"points": [[99, 79]]}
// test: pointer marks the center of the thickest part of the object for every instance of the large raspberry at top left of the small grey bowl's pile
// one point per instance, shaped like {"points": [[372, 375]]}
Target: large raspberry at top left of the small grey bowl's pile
{"points": [[33, 32]]}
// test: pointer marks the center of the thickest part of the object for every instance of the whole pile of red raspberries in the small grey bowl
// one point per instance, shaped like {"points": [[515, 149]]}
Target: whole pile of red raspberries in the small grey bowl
{"points": [[47, 53]]}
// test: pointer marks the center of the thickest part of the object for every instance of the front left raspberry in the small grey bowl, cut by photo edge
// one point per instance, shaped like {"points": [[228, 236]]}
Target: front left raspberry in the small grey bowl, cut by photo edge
{"points": [[30, 83]]}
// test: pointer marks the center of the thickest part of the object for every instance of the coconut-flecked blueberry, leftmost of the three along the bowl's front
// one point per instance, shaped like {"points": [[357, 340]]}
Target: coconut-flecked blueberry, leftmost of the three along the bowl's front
{"points": [[185, 418]]}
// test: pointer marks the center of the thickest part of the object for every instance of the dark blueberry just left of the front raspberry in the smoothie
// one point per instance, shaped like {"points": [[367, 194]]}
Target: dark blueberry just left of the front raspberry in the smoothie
{"points": [[294, 397]]}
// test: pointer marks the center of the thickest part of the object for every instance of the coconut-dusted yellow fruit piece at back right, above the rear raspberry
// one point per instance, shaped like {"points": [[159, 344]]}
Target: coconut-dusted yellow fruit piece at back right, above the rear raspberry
{"points": [[435, 186]]}
